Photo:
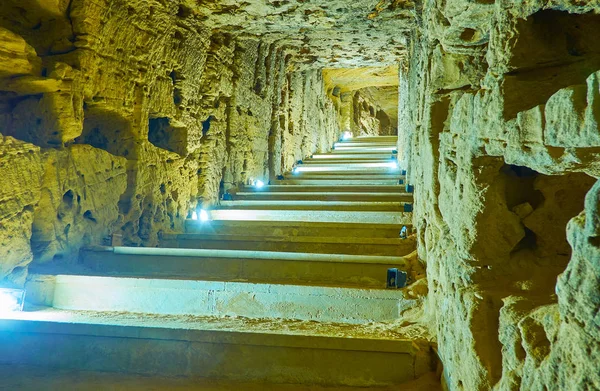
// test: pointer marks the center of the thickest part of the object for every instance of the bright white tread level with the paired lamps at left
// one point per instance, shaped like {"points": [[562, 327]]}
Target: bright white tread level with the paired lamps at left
{"points": [[382, 216]]}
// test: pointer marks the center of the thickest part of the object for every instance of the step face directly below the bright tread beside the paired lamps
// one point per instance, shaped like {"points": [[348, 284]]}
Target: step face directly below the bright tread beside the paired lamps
{"points": [[292, 229]]}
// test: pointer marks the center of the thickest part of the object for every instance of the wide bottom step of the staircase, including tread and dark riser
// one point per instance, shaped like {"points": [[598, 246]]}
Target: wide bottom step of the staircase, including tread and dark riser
{"points": [[201, 348]]}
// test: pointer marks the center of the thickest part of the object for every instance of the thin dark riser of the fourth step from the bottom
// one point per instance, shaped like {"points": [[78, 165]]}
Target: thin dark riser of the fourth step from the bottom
{"points": [[311, 247]]}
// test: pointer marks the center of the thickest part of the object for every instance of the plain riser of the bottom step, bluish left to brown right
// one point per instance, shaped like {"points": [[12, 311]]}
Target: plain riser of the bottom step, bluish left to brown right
{"points": [[173, 354]]}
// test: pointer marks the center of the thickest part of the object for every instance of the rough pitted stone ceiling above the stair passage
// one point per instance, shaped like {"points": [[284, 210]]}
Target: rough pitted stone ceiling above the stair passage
{"points": [[323, 33]]}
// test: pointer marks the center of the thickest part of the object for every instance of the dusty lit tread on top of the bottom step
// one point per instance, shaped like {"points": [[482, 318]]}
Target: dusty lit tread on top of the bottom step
{"points": [[272, 332]]}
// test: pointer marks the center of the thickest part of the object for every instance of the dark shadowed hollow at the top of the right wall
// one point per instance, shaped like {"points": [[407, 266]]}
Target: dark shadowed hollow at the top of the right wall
{"points": [[552, 50]]}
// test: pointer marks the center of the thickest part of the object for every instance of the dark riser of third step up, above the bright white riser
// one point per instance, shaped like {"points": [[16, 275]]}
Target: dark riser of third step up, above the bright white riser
{"points": [[257, 270]]}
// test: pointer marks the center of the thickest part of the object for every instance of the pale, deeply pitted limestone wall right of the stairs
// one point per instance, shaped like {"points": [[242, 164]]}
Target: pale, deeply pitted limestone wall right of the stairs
{"points": [[499, 118]]}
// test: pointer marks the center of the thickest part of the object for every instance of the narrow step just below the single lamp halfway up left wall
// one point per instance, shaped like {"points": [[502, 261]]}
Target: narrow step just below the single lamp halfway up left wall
{"points": [[323, 196]]}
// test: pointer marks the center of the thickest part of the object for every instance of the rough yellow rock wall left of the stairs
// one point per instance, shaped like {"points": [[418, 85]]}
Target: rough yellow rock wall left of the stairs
{"points": [[118, 116]]}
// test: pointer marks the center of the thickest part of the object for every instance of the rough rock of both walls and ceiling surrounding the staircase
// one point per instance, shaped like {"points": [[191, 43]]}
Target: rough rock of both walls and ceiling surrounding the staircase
{"points": [[151, 107]]}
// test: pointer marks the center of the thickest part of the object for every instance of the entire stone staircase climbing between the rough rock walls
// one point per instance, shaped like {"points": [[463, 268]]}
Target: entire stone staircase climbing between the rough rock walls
{"points": [[285, 283]]}
